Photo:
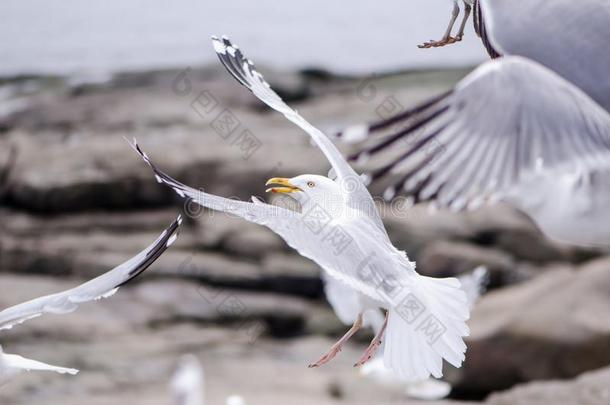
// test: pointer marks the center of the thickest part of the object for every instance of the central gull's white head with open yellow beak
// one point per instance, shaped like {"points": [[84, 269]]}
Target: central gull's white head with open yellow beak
{"points": [[309, 189]]}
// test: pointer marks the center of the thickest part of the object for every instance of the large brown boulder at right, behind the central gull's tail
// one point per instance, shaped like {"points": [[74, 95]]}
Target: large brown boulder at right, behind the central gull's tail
{"points": [[554, 326]]}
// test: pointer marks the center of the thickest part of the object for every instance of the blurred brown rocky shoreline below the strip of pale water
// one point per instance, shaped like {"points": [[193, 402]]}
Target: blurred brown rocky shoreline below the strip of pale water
{"points": [[77, 201]]}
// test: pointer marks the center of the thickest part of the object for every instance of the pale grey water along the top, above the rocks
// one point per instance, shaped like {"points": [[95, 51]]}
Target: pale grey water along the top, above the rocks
{"points": [[91, 37]]}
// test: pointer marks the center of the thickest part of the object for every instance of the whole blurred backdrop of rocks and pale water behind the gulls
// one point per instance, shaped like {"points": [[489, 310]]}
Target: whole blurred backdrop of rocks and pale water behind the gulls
{"points": [[75, 200]]}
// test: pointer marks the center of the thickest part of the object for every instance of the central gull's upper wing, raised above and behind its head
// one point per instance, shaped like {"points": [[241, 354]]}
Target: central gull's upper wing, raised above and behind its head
{"points": [[357, 195]]}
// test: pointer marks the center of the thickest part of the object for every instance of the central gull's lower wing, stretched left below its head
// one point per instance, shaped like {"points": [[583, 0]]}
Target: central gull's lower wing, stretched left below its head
{"points": [[311, 234]]}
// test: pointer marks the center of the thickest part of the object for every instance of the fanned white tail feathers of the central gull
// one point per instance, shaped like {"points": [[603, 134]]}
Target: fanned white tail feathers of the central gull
{"points": [[427, 327]]}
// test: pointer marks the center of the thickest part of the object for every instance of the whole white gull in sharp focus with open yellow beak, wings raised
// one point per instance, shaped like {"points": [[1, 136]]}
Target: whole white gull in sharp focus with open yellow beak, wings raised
{"points": [[340, 229]]}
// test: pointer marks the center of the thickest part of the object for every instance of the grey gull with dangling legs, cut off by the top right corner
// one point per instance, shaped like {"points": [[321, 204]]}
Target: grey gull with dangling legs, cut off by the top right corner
{"points": [[569, 37]]}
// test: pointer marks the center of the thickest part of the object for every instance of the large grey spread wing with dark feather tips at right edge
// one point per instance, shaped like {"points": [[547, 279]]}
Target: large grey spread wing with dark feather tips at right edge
{"points": [[508, 120]]}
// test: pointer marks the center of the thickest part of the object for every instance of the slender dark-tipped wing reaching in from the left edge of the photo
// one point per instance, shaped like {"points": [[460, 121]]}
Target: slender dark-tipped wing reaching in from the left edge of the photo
{"points": [[103, 286]]}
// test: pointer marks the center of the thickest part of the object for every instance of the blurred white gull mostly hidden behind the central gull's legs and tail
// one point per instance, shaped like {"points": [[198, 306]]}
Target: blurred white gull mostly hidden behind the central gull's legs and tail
{"points": [[345, 305]]}
